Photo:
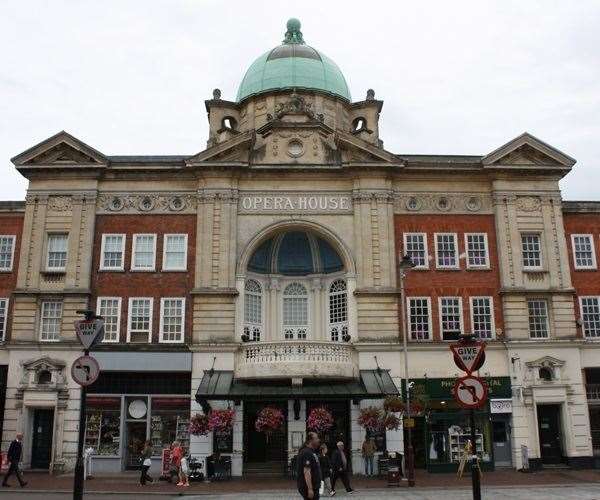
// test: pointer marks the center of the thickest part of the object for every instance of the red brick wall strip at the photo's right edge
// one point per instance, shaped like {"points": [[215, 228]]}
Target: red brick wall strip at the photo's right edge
{"points": [[585, 281]]}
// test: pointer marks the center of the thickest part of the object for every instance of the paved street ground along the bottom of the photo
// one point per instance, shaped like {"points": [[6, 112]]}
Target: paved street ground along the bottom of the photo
{"points": [[498, 485]]}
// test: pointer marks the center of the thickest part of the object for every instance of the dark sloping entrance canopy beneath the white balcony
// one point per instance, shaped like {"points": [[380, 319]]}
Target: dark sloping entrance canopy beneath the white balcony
{"points": [[221, 385]]}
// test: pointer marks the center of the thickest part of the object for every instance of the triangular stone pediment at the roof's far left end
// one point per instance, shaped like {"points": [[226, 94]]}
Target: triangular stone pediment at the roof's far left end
{"points": [[61, 149]]}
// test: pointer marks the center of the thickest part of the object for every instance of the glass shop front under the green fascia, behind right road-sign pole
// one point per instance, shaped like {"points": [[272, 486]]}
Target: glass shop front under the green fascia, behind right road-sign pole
{"points": [[449, 433]]}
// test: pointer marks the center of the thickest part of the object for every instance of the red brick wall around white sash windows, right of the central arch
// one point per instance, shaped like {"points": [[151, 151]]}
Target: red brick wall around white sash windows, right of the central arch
{"points": [[463, 282]]}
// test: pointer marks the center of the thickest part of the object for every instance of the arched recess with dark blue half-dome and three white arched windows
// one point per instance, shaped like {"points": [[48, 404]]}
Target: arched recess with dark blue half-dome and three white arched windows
{"points": [[295, 288]]}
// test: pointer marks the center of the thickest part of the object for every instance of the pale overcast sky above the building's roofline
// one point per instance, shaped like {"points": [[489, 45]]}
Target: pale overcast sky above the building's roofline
{"points": [[131, 77]]}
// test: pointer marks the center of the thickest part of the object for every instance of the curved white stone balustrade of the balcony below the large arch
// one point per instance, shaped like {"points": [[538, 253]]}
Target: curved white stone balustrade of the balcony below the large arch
{"points": [[296, 358]]}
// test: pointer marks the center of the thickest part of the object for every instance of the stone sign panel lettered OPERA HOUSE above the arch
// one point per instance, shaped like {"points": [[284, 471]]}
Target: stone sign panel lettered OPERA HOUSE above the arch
{"points": [[295, 203]]}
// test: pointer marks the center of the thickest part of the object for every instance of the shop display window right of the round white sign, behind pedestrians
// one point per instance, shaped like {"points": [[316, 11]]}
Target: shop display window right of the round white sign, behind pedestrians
{"points": [[169, 421]]}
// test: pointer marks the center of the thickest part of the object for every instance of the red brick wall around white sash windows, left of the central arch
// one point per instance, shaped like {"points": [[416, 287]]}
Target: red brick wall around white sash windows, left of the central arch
{"points": [[157, 284]]}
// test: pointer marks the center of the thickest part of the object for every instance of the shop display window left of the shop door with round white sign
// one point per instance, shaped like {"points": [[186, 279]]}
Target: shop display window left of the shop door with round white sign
{"points": [[103, 425]]}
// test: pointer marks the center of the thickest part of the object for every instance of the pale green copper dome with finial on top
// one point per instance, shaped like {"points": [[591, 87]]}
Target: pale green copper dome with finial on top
{"points": [[293, 65]]}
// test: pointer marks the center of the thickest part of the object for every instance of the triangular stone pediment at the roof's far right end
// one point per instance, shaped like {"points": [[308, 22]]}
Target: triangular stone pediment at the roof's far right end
{"points": [[529, 152]]}
